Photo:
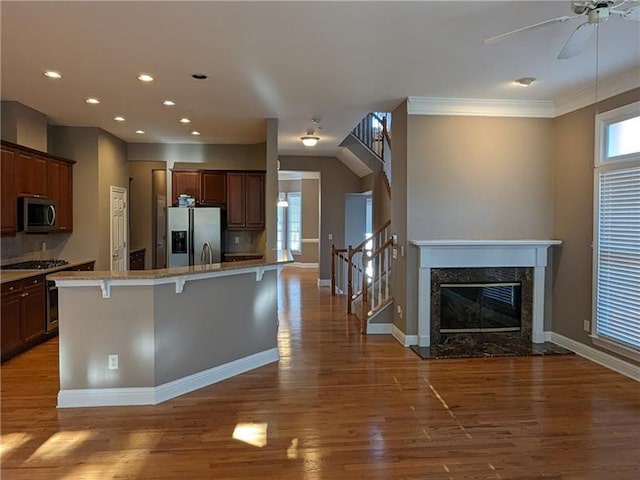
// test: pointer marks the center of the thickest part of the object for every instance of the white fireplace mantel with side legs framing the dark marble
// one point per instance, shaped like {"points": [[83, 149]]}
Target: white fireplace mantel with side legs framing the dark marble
{"points": [[481, 254]]}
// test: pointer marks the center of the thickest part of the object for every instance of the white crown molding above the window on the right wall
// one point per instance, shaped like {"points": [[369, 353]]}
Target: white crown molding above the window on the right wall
{"points": [[607, 88]]}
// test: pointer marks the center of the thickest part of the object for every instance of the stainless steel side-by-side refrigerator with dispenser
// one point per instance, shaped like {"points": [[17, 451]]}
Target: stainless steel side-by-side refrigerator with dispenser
{"points": [[194, 236]]}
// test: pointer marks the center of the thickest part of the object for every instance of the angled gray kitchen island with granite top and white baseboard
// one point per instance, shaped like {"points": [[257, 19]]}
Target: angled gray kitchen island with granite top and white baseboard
{"points": [[143, 337]]}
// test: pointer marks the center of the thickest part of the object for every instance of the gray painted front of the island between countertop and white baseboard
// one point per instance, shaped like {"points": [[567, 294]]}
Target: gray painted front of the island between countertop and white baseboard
{"points": [[155, 340]]}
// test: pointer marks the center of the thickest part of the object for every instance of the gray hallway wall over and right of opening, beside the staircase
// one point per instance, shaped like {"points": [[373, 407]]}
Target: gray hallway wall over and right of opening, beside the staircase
{"points": [[335, 181]]}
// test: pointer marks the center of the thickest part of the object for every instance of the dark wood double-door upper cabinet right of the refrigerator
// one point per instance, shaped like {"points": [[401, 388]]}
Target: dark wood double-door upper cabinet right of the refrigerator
{"points": [[245, 201]]}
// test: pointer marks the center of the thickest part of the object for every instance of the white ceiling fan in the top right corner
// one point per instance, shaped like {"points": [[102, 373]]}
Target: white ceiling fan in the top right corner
{"points": [[594, 12]]}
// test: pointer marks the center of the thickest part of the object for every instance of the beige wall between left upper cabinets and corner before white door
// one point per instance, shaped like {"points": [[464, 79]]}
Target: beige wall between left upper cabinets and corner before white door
{"points": [[80, 144]]}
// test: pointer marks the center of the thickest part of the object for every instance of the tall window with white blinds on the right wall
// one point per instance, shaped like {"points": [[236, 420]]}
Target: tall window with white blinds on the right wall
{"points": [[617, 231]]}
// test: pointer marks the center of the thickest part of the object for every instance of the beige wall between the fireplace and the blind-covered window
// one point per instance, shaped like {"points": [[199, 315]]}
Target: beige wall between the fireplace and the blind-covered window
{"points": [[573, 216]]}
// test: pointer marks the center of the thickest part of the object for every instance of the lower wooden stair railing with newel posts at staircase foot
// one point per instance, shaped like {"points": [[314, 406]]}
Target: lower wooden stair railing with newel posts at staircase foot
{"points": [[350, 269]]}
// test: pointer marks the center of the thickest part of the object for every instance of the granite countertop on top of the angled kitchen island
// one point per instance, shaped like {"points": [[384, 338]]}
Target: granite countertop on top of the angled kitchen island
{"points": [[275, 257]]}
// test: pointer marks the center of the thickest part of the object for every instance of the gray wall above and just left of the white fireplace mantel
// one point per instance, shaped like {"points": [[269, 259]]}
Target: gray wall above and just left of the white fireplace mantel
{"points": [[473, 178]]}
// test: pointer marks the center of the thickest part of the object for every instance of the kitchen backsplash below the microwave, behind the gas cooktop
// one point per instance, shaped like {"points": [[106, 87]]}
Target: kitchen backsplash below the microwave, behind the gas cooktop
{"points": [[32, 247]]}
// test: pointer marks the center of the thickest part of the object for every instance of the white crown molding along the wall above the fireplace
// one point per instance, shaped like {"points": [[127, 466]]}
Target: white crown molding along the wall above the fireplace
{"points": [[475, 107]]}
